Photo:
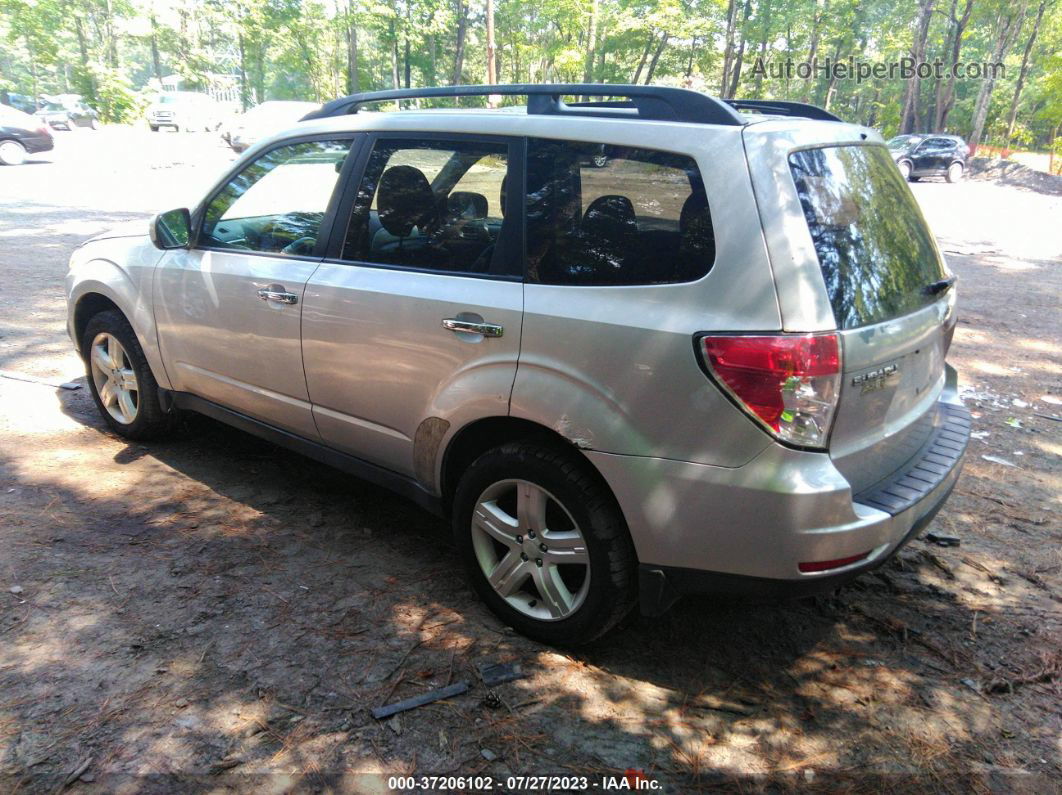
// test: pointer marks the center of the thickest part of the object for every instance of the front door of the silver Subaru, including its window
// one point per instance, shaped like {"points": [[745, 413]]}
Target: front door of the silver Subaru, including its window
{"points": [[230, 308]]}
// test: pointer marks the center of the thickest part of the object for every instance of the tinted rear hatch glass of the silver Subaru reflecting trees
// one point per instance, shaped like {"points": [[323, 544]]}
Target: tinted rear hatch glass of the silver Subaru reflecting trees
{"points": [[876, 251]]}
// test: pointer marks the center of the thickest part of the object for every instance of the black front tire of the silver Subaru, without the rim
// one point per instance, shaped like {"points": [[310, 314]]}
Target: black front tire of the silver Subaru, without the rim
{"points": [[151, 421]]}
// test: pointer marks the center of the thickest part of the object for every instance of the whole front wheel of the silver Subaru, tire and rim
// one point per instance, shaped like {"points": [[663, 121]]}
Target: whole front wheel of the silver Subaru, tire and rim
{"points": [[122, 382]]}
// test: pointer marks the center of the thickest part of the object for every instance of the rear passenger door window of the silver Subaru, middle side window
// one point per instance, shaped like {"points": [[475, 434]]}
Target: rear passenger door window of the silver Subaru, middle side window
{"points": [[438, 205]]}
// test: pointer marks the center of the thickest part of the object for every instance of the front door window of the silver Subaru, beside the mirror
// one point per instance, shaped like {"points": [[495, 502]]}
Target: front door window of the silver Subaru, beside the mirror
{"points": [[278, 203]]}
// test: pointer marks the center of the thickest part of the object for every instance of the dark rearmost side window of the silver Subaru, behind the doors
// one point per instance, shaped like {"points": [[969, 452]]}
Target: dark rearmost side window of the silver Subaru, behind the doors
{"points": [[604, 215]]}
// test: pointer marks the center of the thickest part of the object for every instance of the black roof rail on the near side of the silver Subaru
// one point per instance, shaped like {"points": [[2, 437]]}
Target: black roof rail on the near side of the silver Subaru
{"points": [[658, 103]]}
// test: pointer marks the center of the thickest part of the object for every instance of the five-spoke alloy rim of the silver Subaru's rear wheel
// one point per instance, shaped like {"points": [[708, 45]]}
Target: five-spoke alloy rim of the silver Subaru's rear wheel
{"points": [[532, 550]]}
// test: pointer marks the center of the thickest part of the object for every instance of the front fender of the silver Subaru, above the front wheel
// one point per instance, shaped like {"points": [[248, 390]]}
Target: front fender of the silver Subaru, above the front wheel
{"points": [[122, 270]]}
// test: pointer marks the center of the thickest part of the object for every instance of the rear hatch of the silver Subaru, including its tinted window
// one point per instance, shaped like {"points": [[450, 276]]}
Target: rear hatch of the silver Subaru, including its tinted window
{"points": [[892, 302]]}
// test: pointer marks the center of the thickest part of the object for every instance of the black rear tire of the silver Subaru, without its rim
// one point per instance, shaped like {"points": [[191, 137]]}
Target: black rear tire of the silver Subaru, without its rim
{"points": [[612, 592]]}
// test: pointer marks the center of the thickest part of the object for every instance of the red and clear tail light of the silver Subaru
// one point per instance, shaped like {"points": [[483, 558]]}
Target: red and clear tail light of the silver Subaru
{"points": [[790, 384]]}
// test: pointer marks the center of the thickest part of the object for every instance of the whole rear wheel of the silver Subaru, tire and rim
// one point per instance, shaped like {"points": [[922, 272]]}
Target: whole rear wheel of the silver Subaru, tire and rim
{"points": [[544, 544]]}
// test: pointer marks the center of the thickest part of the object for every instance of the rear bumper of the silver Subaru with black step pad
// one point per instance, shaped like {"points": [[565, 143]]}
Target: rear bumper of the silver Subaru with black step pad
{"points": [[703, 529]]}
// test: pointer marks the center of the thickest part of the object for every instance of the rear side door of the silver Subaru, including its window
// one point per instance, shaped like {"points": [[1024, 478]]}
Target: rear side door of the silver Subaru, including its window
{"points": [[417, 316]]}
